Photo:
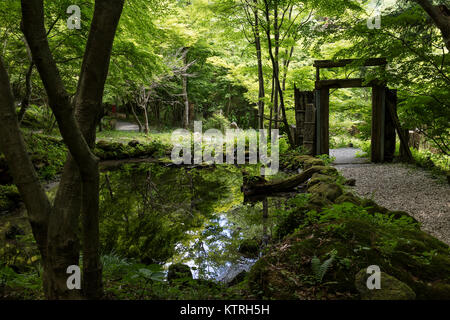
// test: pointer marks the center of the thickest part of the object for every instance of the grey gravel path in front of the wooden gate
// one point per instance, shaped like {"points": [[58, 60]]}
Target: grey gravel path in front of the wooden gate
{"points": [[405, 188]]}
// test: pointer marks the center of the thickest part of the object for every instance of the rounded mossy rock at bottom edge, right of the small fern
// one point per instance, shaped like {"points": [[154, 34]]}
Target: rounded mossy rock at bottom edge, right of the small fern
{"points": [[390, 288]]}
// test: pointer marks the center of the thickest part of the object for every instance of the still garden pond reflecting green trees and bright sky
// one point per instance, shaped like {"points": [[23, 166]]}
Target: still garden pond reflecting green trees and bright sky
{"points": [[196, 216]]}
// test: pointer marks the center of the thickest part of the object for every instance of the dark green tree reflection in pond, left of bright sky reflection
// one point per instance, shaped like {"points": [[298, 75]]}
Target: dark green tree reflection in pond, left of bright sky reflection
{"points": [[147, 209]]}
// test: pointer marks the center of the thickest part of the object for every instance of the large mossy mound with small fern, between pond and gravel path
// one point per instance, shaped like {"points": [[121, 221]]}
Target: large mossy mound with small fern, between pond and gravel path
{"points": [[358, 239]]}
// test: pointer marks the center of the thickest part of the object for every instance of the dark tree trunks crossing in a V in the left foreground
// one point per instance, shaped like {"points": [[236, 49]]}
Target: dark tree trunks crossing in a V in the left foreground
{"points": [[79, 187]]}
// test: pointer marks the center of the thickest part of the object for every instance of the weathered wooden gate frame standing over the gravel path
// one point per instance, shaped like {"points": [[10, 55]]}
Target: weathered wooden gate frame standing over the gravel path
{"points": [[313, 112]]}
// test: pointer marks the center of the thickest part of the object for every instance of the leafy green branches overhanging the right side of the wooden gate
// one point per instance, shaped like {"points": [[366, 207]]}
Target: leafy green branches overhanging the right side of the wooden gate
{"points": [[419, 66]]}
